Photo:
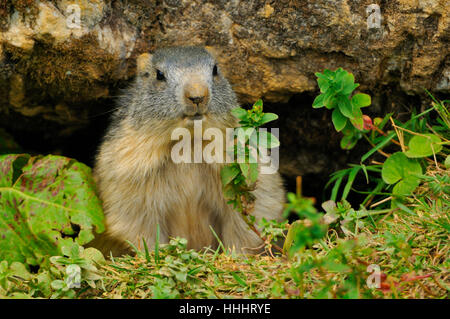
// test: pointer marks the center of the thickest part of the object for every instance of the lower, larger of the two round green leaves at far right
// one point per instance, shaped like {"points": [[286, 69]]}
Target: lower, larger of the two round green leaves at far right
{"points": [[403, 171]]}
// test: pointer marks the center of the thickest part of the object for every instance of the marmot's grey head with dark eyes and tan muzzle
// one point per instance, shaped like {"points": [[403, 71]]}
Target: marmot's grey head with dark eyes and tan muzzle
{"points": [[180, 85]]}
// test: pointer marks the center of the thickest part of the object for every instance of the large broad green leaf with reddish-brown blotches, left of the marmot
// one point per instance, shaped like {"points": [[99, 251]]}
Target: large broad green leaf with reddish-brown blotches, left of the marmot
{"points": [[42, 199]]}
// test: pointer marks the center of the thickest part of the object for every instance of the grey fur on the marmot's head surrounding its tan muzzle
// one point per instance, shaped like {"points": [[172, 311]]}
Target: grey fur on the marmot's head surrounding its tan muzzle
{"points": [[148, 99]]}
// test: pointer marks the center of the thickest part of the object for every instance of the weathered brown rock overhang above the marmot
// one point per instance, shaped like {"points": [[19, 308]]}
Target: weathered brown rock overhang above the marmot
{"points": [[54, 70]]}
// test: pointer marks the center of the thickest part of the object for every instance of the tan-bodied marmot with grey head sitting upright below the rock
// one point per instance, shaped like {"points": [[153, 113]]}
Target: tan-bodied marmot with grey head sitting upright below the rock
{"points": [[141, 186]]}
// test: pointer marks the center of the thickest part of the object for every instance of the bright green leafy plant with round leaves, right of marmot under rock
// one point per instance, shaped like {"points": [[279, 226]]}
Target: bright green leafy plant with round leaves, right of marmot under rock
{"points": [[416, 138]]}
